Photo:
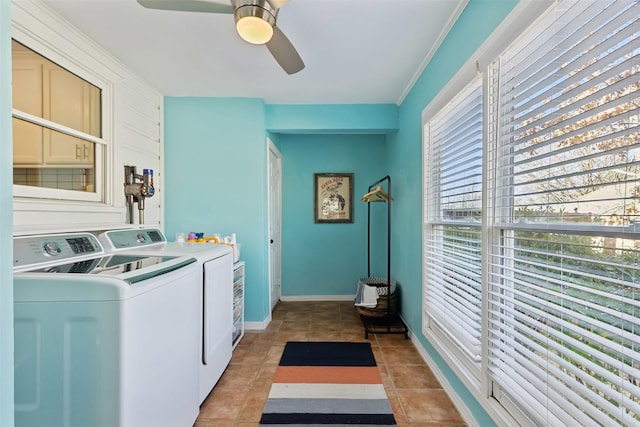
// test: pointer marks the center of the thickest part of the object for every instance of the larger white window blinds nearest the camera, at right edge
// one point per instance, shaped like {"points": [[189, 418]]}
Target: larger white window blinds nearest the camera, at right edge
{"points": [[564, 270]]}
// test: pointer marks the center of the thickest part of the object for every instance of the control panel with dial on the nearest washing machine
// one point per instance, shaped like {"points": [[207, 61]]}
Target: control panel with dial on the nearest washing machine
{"points": [[42, 249]]}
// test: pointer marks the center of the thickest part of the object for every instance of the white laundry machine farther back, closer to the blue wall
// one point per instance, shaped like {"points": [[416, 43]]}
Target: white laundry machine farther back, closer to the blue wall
{"points": [[215, 262]]}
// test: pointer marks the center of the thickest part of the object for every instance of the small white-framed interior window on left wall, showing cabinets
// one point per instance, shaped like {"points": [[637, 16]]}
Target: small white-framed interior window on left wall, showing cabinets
{"points": [[56, 127]]}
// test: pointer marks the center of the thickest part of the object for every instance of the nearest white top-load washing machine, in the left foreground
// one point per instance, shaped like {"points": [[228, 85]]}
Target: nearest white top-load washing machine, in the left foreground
{"points": [[103, 340]]}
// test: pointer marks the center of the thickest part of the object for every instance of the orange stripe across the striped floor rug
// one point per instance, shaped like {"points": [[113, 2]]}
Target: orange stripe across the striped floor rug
{"points": [[328, 374]]}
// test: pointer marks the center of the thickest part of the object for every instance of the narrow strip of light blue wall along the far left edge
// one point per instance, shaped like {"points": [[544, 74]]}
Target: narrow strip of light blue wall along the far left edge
{"points": [[6, 222]]}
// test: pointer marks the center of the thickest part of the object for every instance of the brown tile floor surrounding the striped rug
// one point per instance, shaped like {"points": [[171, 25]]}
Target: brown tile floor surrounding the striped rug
{"points": [[238, 399]]}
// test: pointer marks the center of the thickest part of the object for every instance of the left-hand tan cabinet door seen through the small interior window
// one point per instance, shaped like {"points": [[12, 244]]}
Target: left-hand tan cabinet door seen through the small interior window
{"points": [[27, 97]]}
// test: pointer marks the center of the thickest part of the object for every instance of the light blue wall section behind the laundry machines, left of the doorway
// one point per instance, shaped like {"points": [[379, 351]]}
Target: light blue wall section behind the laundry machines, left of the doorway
{"points": [[215, 180]]}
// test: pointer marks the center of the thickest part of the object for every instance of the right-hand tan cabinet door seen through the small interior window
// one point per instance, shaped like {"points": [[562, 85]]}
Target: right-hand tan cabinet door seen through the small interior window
{"points": [[67, 100]]}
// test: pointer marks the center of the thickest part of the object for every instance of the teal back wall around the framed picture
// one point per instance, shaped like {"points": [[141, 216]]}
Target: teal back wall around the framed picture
{"points": [[327, 259]]}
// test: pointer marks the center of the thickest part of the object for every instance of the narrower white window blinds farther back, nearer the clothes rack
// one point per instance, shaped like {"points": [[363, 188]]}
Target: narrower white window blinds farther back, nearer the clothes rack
{"points": [[452, 233]]}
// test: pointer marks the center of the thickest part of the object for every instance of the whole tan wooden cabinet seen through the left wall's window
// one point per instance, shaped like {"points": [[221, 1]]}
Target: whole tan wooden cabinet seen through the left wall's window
{"points": [[46, 90]]}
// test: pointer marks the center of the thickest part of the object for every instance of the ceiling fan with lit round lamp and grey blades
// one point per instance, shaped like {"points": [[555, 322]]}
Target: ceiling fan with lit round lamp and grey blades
{"points": [[255, 23]]}
